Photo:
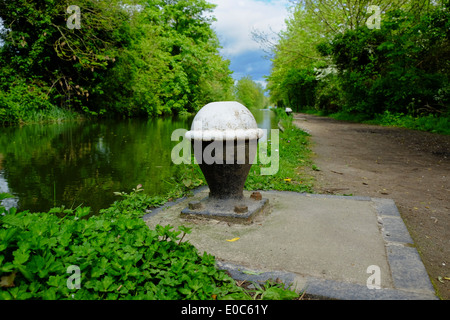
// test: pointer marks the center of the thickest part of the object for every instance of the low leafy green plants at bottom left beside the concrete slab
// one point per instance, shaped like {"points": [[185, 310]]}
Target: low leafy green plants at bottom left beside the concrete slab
{"points": [[118, 257]]}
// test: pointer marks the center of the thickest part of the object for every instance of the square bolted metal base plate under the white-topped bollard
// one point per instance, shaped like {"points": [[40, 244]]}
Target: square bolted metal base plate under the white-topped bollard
{"points": [[242, 211]]}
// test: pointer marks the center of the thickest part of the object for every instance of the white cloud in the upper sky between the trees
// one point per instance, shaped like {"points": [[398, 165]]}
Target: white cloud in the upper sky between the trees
{"points": [[237, 18]]}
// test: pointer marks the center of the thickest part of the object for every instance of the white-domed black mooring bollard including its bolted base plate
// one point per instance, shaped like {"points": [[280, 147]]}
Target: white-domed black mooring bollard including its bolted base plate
{"points": [[224, 136]]}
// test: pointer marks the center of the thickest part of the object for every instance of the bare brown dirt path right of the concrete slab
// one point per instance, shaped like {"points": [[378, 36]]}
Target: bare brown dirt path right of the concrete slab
{"points": [[410, 167]]}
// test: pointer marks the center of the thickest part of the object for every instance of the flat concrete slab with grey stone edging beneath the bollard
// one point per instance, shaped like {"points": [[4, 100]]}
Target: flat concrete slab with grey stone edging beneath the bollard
{"points": [[330, 246]]}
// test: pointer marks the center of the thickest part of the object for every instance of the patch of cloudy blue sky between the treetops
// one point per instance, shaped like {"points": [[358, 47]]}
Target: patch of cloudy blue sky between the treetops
{"points": [[235, 21]]}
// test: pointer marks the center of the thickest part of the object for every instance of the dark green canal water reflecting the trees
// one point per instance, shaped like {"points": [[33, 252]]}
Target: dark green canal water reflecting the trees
{"points": [[84, 163]]}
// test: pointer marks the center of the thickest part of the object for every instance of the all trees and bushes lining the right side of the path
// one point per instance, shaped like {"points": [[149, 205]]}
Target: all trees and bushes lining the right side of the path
{"points": [[401, 68]]}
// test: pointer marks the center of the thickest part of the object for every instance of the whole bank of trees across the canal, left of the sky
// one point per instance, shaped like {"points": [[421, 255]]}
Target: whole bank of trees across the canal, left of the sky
{"points": [[129, 58]]}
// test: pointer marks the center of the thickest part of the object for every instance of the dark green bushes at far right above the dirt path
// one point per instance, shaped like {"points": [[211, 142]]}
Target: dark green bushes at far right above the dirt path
{"points": [[396, 68]]}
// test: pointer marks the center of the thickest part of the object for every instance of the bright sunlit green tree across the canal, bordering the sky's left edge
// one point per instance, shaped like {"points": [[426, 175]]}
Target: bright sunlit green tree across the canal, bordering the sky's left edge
{"points": [[172, 64]]}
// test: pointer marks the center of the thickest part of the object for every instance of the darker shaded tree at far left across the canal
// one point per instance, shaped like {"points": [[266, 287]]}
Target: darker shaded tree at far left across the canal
{"points": [[42, 52]]}
